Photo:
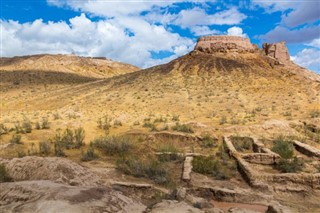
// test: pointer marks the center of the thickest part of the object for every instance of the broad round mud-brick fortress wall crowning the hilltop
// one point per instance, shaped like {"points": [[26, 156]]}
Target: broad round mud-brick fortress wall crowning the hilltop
{"points": [[225, 44]]}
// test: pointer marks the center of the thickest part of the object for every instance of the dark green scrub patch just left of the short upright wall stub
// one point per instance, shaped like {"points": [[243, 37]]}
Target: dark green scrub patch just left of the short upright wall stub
{"points": [[149, 168]]}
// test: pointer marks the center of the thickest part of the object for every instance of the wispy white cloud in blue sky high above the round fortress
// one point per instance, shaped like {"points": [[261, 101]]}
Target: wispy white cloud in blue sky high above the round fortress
{"points": [[198, 16]]}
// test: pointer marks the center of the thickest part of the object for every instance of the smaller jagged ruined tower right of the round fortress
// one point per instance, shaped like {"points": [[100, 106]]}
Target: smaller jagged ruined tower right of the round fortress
{"points": [[278, 51]]}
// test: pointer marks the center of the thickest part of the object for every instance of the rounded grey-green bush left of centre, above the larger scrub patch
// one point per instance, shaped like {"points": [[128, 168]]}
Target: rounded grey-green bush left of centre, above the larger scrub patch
{"points": [[114, 145]]}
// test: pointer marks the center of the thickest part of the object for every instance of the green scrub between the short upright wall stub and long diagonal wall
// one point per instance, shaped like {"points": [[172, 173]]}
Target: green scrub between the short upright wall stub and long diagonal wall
{"points": [[215, 167]]}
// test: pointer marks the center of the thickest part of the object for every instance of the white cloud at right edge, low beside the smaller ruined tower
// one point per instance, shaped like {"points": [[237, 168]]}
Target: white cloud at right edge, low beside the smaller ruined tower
{"points": [[307, 57]]}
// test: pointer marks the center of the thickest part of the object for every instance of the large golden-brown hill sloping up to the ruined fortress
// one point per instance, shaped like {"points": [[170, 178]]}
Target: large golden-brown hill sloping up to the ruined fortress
{"points": [[230, 83]]}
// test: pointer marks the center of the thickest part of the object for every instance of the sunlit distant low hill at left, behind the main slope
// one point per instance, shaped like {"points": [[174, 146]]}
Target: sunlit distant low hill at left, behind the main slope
{"points": [[84, 67]]}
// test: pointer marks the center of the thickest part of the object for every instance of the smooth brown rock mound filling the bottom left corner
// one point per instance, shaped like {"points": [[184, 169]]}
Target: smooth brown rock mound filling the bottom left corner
{"points": [[47, 196]]}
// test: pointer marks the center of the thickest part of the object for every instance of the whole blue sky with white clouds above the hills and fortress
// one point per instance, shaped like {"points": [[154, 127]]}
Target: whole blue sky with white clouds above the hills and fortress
{"points": [[147, 33]]}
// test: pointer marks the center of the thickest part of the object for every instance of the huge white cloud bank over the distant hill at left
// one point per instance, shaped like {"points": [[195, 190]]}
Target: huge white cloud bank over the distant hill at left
{"points": [[82, 36]]}
